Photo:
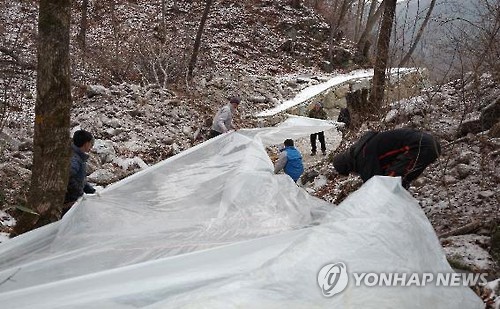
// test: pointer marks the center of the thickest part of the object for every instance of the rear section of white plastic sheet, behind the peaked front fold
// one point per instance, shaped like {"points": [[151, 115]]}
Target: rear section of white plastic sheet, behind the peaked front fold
{"points": [[220, 192]]}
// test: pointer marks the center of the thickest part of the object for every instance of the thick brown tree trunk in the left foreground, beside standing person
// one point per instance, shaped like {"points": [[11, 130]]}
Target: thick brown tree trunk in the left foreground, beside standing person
{"points": [[51, 140]]}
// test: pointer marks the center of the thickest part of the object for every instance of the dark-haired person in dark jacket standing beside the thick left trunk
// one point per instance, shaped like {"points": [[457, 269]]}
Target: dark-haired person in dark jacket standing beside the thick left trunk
{"points": [[77, 185]]}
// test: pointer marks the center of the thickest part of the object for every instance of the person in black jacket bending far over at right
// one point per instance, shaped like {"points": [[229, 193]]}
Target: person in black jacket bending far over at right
{"points": [[399, 152]]}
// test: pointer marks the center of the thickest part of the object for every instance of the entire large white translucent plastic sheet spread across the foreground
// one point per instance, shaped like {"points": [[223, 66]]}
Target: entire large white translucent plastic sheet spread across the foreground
{"points": [[213, 227]]}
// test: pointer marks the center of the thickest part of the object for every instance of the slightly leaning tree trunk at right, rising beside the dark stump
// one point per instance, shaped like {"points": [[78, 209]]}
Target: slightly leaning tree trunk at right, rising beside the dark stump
{"points": [[384, 38]]}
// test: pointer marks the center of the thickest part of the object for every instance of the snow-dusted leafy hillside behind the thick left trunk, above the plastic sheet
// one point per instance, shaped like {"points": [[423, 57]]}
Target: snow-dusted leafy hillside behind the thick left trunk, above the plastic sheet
{"points": [[129, 76]]}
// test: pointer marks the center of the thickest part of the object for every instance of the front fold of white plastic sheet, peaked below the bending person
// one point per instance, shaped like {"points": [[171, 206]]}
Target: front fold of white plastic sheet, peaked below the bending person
{"points": [[380, 228]]}
